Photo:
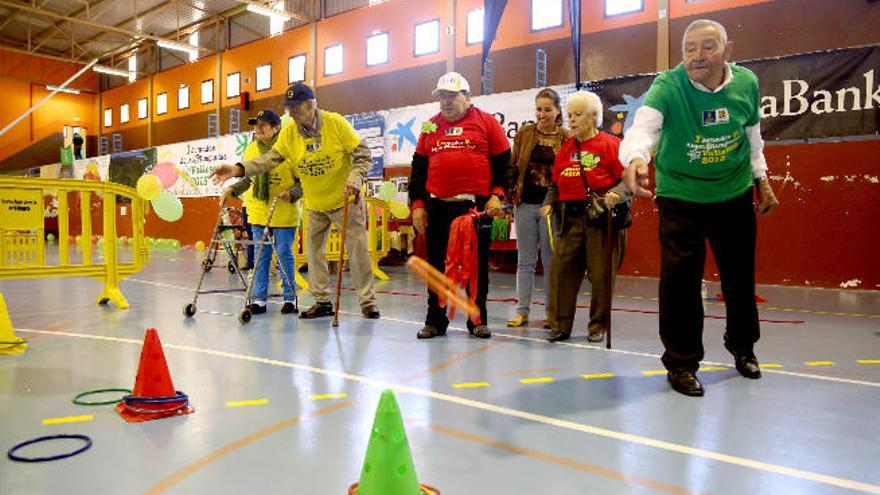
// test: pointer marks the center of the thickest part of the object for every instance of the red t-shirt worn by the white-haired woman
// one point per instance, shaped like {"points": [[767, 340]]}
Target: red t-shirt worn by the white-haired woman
{"points": [[601, 166]]}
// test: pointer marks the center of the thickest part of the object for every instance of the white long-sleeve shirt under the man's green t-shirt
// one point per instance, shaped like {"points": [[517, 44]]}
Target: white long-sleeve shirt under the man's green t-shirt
{"points": [[643, 136]]}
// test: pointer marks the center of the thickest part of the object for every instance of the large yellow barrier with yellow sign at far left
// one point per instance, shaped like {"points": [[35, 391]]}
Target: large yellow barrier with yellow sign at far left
{"points": [[22, 248]]}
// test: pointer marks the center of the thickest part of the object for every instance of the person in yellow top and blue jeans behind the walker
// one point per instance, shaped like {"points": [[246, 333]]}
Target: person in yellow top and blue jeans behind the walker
{"points": [[259, 191]]}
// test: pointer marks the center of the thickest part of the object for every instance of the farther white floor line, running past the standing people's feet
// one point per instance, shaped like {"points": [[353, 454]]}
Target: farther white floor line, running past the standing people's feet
{"points": [[574, 344]]}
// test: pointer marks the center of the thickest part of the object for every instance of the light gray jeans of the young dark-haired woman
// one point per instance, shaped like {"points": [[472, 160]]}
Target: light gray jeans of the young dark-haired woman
{"points": [[531, 236]]}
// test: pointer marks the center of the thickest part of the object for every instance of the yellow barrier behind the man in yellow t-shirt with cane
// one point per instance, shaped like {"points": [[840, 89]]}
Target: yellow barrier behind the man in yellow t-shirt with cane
{"points": [[378, 241]]}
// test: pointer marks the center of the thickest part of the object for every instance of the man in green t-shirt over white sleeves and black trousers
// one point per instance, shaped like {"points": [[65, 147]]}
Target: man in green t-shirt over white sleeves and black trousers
{"points": [[702, 121]]}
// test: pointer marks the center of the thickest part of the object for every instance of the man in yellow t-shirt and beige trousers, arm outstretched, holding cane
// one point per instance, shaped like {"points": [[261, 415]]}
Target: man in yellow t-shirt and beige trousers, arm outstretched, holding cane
{"points": [[331, 161]]}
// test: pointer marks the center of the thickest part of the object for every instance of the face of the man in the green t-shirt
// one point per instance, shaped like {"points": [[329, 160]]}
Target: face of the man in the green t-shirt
{"points": [[704, 56]]}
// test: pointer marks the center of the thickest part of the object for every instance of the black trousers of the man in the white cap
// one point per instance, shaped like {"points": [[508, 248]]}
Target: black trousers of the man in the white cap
{"points": [[440, 217]]}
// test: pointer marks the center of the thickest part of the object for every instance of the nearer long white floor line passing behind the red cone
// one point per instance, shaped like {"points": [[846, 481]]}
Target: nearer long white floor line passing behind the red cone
{"points": [[560, 423]]}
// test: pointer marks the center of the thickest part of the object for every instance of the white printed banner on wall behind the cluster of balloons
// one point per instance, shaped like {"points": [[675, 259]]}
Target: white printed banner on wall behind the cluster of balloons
{"points": [[185, 167]]}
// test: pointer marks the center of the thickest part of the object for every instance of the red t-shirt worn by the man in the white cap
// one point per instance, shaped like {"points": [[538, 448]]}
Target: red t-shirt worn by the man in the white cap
{"points": [[458, 153]]}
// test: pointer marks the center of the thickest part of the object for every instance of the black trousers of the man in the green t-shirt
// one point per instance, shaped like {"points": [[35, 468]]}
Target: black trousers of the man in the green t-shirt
{"points": [[731, 229]]}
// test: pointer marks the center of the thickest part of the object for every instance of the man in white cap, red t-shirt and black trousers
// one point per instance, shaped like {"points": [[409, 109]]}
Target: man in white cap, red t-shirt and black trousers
{"points": [[460, 163]]}
